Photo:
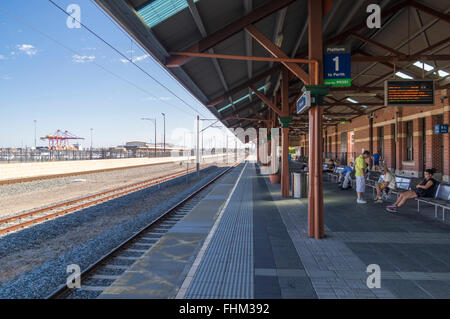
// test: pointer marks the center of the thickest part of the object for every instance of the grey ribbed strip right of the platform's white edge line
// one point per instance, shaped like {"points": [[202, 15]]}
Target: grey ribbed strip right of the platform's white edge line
{"points": [[226, 269]]}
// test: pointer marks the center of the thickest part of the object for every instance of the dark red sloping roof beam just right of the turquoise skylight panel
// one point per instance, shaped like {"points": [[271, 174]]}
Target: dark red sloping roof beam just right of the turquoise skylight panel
{"points": [[229, 30]]}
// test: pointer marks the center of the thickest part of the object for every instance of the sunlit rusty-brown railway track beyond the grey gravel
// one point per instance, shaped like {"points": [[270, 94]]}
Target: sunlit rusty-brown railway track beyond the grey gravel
{"points": [[36, 216]]}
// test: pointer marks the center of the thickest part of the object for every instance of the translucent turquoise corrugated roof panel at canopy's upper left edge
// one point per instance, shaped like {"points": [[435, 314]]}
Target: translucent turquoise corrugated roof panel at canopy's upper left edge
{"points": [[159, 10]]}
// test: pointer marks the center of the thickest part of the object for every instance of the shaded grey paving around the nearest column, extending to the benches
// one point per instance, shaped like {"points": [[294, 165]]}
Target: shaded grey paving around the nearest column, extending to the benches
{"points": [[413, 252]]}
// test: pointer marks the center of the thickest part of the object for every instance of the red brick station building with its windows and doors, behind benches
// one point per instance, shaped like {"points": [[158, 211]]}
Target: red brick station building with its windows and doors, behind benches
{"points": [[403, 135]]}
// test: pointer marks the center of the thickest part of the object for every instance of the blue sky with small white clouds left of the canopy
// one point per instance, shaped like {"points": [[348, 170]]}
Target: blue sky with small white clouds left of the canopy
{"points": [[41, 80]]}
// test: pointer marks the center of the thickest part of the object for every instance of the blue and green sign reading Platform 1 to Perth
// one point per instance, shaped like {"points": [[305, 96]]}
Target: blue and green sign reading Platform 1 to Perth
{"points": [[337, 66]]}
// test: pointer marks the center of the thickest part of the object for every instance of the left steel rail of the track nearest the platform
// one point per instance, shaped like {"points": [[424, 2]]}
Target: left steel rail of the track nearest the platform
{"points": [[63, 291]]}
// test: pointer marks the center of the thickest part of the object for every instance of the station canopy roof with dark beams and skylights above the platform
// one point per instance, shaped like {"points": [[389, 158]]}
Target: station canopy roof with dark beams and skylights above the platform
{"points": [[413, 42]]}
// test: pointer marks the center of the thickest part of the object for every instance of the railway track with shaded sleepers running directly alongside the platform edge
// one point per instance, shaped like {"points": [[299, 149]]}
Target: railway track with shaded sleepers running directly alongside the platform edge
{"points": [[103, 272]]}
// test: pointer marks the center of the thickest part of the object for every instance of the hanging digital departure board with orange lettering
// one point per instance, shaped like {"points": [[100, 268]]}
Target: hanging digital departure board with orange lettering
{"points": [[409, 92]]}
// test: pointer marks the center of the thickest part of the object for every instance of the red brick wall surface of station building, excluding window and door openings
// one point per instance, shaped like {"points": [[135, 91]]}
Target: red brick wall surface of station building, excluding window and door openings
{"points": [[395, 150]]}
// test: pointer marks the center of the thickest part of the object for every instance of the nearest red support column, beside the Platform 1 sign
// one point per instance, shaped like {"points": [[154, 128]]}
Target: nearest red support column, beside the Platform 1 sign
{"points": [[315, 196]]}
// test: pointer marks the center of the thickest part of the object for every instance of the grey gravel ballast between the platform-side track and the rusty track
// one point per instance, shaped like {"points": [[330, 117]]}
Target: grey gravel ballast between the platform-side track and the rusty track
{"points": [[85, 247]]}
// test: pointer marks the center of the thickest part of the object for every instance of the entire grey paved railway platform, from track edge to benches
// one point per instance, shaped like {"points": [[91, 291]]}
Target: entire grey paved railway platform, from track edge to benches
{"points": [[243, 240]]}
